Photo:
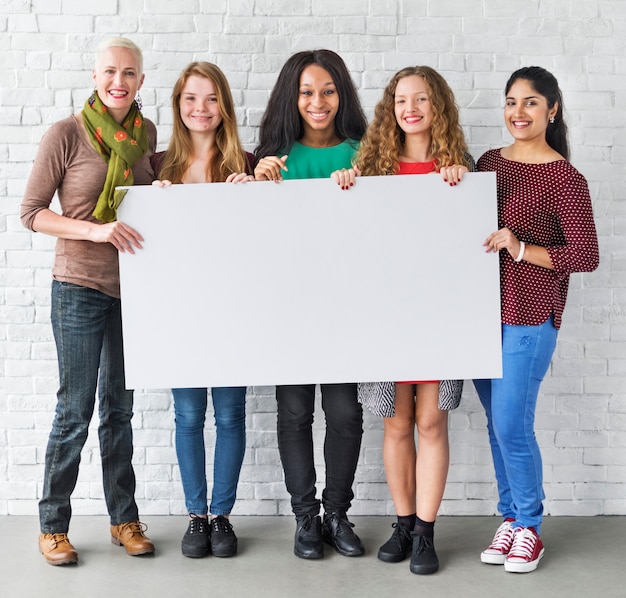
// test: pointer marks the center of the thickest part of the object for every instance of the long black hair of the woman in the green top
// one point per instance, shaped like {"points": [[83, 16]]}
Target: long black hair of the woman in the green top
{"points": [[281, 124]]}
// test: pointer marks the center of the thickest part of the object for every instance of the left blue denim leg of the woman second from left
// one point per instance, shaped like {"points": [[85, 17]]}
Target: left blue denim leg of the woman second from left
{"points": [[190, 414]]}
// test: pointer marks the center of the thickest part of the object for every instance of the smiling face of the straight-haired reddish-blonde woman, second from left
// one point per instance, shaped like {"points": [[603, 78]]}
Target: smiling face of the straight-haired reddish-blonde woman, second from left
{"points": [[199, 107]]}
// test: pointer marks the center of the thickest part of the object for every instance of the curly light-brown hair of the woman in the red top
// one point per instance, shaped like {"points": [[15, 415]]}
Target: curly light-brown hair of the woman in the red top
{"points": [[384, 140]]}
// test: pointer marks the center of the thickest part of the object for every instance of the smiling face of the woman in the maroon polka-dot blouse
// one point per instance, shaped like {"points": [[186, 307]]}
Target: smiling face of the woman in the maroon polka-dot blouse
{"points": [[526, 112]]}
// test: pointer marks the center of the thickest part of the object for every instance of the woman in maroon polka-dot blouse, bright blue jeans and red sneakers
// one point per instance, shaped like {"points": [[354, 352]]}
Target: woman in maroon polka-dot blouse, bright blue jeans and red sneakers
{"points": [[546, 232]]}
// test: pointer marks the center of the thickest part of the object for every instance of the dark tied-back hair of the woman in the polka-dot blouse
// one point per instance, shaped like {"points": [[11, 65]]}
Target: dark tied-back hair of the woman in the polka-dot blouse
{"points": [[545, 84]]}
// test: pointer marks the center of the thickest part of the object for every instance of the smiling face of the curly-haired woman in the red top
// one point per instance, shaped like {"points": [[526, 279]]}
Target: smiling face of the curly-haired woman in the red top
{"points": [[414, 112]]}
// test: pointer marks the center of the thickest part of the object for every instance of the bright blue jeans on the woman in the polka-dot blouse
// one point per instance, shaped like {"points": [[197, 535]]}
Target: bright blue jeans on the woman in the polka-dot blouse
{"points": [[510, 404]]}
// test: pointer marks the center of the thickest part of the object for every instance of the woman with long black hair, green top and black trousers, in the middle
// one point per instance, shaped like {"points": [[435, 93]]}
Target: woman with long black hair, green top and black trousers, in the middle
{"points": [[311, 127]]}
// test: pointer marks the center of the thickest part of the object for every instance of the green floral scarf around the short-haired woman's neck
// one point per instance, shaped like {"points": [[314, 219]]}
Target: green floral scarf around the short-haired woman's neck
{"points": [[119, 145]]}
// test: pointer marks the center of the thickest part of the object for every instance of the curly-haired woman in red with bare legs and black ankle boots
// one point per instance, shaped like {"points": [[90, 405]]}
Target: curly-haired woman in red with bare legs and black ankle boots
{"points": [[415, 130]]}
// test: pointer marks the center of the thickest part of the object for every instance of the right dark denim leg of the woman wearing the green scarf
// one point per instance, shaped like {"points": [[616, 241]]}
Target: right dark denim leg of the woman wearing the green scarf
{"points": [[115, 430]]}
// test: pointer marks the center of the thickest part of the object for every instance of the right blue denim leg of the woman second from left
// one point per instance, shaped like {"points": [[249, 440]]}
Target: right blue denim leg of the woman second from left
{"points": [[229, 405]]}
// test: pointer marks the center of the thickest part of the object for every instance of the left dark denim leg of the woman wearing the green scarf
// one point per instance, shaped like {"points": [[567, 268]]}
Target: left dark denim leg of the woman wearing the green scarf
{"points": [[80, 319]]}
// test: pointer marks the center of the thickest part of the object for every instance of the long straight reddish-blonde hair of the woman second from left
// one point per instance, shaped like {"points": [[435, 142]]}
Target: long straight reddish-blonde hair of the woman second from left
{"points": [[228, 155]]}
